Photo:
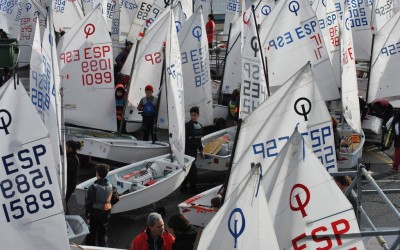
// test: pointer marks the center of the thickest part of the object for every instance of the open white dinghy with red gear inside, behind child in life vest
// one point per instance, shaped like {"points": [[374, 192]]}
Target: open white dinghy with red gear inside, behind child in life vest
{"points": [[166, 176]]}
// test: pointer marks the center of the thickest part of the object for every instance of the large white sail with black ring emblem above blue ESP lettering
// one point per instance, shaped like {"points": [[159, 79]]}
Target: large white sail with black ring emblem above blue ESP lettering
{"points": [[265, 131]]}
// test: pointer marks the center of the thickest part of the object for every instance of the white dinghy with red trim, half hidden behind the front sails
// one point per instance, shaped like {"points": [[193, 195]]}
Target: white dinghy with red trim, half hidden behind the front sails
{"points": [[197, 209]]}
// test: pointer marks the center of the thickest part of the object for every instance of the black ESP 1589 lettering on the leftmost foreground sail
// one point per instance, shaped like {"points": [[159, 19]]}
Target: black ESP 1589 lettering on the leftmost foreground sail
{"points": [[25, 192]]}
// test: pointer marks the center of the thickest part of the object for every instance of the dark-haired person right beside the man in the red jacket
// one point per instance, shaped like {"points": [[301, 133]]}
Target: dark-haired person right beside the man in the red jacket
{"points": [[185, 234]]}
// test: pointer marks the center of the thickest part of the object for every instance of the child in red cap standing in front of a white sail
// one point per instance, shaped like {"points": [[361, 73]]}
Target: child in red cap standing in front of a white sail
{"points": [[148, 108]]}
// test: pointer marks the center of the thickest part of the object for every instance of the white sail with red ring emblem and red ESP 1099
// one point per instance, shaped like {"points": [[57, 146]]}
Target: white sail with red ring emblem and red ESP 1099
{"points": [[86, 64]]}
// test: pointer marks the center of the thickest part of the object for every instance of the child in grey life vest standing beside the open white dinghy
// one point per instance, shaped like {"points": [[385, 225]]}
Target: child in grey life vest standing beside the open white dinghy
{"points": [[98, 207]]}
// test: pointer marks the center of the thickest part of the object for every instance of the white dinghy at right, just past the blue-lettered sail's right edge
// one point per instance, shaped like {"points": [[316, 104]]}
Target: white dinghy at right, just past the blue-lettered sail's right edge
{"points": [[351, 159]]}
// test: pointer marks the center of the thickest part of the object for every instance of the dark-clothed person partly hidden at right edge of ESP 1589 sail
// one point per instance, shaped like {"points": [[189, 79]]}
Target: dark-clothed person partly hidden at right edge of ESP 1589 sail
{"points": [[72, 167]]}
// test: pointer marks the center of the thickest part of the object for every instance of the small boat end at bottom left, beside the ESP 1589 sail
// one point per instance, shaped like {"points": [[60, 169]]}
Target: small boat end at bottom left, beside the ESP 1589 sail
{"points": [[76, 229]]}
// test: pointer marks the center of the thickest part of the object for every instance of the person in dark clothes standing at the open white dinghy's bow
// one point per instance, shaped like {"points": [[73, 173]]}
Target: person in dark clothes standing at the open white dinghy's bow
{"points": [[193, 134]]}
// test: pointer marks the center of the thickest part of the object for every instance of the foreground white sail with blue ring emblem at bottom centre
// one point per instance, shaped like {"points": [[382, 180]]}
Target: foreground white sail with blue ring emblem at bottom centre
{"points": [[243, 222]]}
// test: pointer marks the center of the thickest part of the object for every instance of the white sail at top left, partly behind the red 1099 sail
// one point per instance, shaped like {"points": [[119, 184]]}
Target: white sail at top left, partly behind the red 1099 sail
{"points": [[66, 14]]}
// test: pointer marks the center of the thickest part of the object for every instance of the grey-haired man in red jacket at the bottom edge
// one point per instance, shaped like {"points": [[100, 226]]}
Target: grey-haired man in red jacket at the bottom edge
{"points": [[155, 237]]}
